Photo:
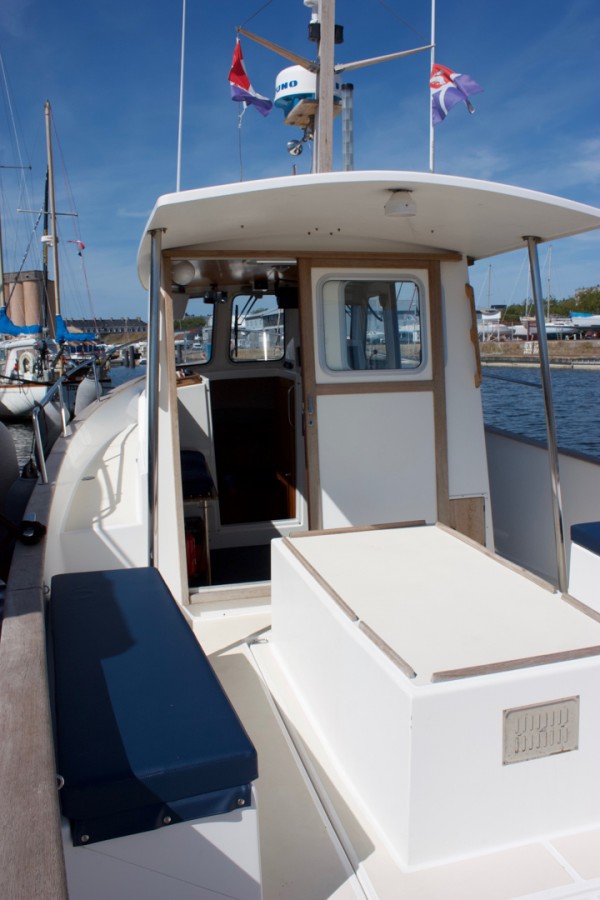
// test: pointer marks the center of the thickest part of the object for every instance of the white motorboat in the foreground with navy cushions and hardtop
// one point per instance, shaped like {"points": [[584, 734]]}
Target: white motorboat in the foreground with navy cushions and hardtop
{"points": [[401, 609]]}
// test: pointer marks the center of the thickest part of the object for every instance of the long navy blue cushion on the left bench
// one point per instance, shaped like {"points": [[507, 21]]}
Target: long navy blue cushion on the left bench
{"points": [[141, 718]]}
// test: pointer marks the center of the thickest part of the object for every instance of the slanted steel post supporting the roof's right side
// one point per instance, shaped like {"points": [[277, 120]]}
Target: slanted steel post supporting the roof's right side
{"points": [[536, 282]]}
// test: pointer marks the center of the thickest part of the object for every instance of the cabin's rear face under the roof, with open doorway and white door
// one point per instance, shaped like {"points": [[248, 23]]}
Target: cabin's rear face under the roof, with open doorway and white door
{"points": [[320, 393]]}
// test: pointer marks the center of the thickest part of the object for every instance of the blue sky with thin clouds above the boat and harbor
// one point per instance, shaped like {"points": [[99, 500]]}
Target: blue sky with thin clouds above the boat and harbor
{"points": [[111, 72]]}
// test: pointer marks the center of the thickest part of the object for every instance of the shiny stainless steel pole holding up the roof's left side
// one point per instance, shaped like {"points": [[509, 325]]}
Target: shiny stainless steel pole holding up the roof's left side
{"points": [[152, 375]]}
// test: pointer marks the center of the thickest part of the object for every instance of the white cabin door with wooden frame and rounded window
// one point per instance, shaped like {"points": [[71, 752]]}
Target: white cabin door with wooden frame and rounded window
{"points": [[374, 392]]}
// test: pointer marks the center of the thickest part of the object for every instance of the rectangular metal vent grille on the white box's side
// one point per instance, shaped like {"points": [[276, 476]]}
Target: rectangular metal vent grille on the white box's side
{"points": [[531, 732]]}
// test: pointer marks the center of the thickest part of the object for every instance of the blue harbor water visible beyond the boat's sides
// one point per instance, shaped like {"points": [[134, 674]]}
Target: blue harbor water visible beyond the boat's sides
{"points": [[512, 399]]}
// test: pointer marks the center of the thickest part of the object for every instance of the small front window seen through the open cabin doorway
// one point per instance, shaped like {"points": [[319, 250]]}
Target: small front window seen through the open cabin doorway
{"points": [[257, 328]]}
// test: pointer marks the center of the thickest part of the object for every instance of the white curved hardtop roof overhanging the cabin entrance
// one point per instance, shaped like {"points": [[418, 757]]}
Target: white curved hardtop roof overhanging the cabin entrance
{"points": [[344, 212]]}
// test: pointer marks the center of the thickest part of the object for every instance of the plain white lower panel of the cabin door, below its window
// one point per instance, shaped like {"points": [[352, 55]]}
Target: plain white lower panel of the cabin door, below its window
{"points": [[376, 458]]}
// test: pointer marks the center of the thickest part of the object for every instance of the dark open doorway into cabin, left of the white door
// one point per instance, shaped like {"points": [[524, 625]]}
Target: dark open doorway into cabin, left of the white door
{"points": [[239, 401]]}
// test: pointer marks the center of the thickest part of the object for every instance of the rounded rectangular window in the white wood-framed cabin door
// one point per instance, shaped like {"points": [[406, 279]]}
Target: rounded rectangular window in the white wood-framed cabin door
{"points": [[370, 324]]}
